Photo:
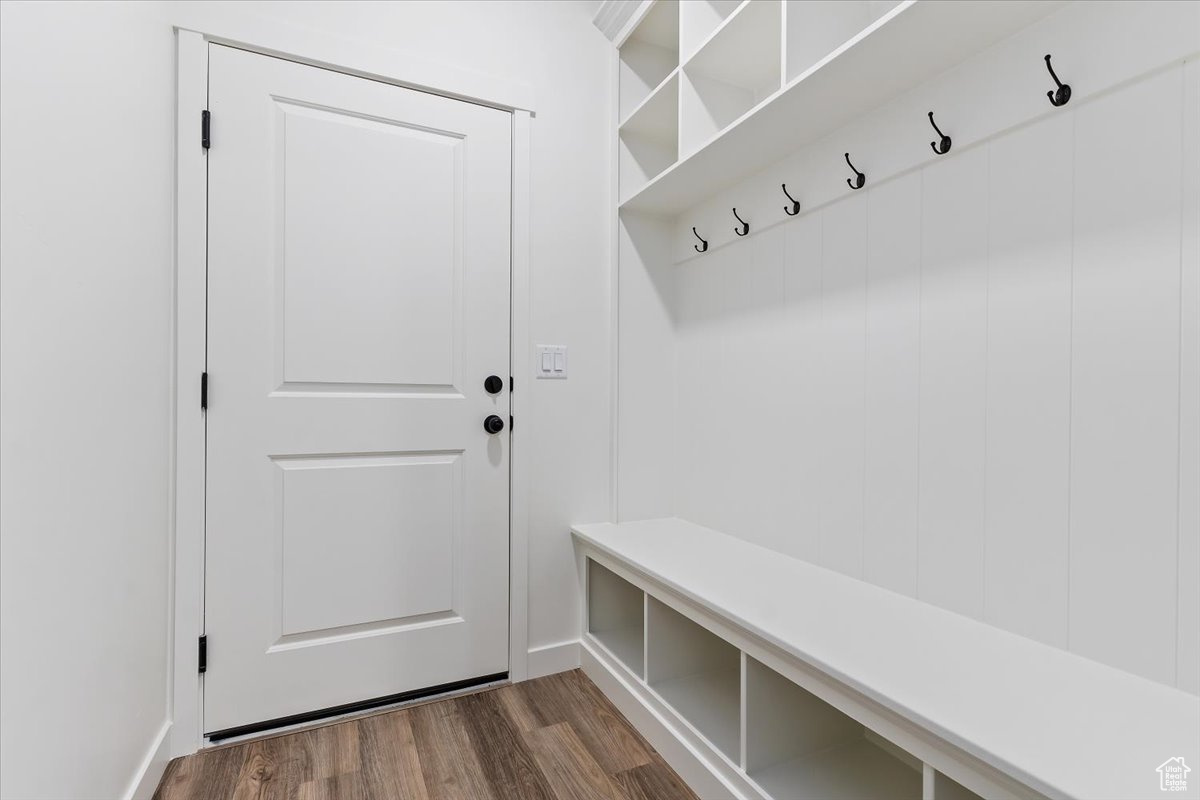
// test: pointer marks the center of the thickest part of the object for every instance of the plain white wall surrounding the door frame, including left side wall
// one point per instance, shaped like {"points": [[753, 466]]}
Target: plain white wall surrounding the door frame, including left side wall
{"points": [[87, 139]]}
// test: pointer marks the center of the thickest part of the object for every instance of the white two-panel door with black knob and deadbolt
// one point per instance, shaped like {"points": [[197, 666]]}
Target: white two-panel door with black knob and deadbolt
{"points": [[358, 512]]}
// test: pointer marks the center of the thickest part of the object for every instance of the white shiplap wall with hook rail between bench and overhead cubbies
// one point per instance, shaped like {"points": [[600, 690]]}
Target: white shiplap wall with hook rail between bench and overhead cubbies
{"points": [[974, 382]]}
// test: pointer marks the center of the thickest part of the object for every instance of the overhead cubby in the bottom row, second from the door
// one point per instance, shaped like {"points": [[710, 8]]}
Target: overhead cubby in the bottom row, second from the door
{"points": [[735, 70]]}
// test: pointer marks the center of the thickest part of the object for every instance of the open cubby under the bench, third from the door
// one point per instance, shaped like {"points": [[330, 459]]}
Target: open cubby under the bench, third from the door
{"points": [[800, 747]]}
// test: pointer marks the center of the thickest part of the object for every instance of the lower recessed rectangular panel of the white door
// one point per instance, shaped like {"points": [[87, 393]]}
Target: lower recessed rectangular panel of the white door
{"points": [[380, 507]]}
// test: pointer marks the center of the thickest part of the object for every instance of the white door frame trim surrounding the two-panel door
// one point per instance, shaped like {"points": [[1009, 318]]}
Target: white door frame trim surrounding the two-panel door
{"points": [[191, 257]]}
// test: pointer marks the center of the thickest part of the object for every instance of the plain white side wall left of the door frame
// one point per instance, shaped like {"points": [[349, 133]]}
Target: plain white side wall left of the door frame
{"points": [[86, 214]]}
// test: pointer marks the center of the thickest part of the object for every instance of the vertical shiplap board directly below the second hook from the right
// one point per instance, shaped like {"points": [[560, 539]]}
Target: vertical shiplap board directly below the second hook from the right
{"points": [[953, 377]]}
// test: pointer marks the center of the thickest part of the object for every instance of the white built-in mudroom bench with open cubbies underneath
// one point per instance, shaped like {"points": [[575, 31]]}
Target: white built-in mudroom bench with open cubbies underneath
{"points": [[763, 677]]}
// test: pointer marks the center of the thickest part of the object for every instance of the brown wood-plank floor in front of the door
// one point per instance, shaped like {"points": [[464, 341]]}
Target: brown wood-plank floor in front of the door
{"points": [[553, 738]]}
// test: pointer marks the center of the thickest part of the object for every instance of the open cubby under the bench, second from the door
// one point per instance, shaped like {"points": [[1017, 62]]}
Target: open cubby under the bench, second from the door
{"points": [[698, 673]]}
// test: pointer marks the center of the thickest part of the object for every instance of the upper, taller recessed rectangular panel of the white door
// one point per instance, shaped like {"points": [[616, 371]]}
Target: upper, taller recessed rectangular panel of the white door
{"points": [[368, 322]]}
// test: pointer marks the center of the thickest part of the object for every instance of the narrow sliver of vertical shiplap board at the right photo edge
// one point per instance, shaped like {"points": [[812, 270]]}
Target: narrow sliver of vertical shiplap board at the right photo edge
{"points": [[1189, 658]]}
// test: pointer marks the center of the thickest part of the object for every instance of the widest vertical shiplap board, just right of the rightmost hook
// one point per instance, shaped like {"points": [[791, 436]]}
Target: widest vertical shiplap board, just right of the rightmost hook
{"points": [[1125, 378]]}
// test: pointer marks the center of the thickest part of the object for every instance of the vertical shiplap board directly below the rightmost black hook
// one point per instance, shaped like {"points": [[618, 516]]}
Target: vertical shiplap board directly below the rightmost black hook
{"points": [[1029, 381]]}
